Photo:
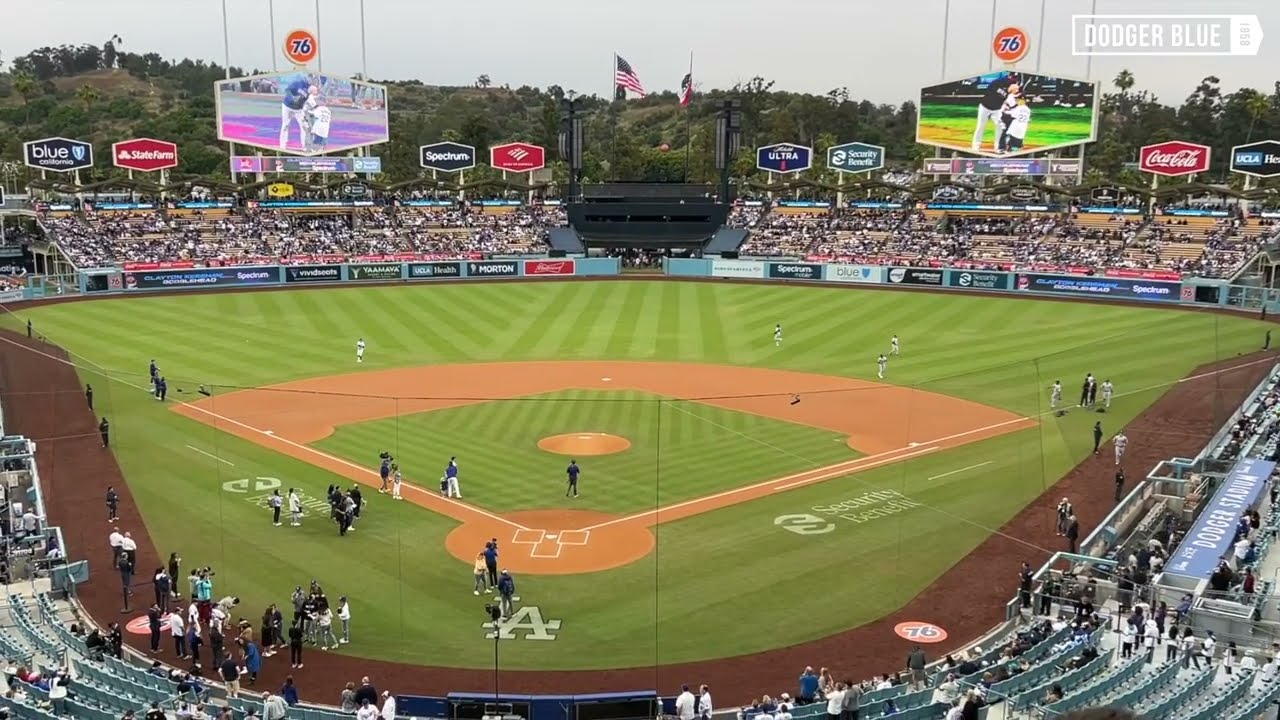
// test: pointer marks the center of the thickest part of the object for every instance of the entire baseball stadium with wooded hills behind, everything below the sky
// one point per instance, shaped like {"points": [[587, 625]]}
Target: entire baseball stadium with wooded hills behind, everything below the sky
{"points": [[527, 422]]}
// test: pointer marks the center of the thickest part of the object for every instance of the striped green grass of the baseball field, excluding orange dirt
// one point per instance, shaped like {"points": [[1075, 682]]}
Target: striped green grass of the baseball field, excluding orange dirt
{"points": [[712, 572]]}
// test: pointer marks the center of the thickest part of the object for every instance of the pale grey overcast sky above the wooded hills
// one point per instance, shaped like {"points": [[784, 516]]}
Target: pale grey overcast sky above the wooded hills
{"points": [[881, 52]]}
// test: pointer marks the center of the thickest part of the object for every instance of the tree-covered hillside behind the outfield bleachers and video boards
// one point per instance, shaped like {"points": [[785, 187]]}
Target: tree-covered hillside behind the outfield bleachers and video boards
{"points": [[106, 94]]}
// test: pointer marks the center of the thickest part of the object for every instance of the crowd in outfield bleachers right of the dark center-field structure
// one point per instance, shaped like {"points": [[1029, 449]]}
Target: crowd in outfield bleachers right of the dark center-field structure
{"points": [[1203, 247]]}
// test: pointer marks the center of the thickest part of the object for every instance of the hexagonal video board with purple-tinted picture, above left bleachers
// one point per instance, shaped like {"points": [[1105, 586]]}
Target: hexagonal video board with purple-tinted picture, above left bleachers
{"points": [[351, 113]]}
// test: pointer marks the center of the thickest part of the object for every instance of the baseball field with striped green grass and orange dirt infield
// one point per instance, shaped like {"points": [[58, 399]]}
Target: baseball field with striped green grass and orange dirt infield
{"points": [[737, 495]]}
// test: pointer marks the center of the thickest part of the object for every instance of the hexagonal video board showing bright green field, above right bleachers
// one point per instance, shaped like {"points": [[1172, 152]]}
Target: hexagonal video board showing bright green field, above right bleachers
{"points": [[1046, 113]]}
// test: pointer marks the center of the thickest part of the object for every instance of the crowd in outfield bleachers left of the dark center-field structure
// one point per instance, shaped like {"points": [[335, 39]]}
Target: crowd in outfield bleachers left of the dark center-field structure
{"points": [[108, 238]]}
